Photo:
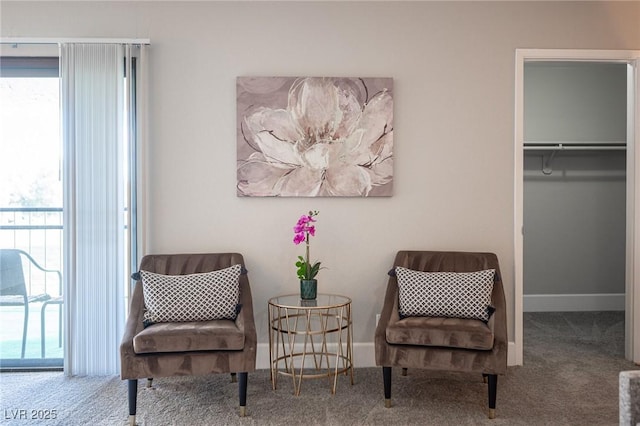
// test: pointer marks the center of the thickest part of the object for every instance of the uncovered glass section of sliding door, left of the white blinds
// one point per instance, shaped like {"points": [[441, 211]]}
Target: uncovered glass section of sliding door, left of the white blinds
{"points": [[31, 250]]}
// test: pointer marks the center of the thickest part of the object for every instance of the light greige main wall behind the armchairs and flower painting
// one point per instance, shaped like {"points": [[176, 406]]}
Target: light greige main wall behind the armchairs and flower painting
{"points": [[453, 70]]}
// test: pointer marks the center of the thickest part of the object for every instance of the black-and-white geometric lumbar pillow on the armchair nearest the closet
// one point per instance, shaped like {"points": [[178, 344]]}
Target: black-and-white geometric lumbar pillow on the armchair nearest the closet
{"points": [[445, 294]]}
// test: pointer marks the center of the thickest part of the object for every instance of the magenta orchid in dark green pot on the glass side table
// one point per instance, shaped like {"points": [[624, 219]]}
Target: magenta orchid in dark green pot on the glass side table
{"points": [[307, 272]]}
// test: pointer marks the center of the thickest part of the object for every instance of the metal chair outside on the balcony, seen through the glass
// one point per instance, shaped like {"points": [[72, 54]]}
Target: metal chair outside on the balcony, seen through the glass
{"points": [[13, 288]]}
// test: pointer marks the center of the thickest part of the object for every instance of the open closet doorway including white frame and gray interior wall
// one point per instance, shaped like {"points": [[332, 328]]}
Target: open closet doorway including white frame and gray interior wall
{"points": [[575, 192]]}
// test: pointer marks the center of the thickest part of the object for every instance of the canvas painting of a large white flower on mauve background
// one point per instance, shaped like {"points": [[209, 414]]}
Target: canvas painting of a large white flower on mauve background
{"points": [[314, 137]]}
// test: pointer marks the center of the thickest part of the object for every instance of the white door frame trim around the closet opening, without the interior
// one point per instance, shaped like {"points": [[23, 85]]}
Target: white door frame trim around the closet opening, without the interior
{"points": [[632, 285]]}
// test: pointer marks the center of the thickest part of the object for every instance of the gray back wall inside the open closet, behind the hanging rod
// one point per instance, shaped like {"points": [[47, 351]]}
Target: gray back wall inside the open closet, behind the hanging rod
{"points": [[574, 199]]}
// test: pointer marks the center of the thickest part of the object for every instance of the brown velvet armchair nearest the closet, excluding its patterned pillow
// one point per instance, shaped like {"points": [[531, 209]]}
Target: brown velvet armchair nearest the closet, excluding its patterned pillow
{"points": [[442, 343]]}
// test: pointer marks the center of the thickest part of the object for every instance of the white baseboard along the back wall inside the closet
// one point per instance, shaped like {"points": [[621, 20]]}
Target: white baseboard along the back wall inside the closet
{"points": [[573, 302]]}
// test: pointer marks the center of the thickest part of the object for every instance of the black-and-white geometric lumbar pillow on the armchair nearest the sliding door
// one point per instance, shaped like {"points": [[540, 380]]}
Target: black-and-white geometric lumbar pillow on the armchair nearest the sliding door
{"points": [[194, 297]]}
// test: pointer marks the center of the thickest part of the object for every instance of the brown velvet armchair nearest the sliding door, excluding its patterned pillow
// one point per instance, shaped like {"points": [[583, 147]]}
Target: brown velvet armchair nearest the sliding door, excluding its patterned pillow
{"points": [[189, 348]]}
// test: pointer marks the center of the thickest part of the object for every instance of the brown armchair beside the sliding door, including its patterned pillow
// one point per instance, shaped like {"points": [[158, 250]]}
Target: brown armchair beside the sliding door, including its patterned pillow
{"points": [[155, 344]]}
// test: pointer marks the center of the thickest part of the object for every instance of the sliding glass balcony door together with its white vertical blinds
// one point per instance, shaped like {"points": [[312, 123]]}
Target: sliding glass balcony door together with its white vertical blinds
{"points": [[70, 117]]}
